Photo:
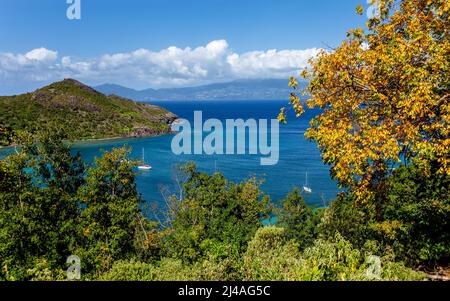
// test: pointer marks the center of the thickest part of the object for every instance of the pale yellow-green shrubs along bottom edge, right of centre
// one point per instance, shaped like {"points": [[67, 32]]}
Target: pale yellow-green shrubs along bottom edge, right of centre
{"points": [[269, 257]]}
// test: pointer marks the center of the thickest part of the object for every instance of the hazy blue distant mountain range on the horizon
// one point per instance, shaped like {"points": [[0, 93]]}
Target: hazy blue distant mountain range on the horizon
{"points": [[263, 89]]}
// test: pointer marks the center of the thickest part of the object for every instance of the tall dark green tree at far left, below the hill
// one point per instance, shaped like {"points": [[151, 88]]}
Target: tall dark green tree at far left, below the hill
{"points": [[38, 206]]}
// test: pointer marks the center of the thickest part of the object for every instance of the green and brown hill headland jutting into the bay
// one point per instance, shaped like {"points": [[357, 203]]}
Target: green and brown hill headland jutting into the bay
{"points": [[82, 112]]}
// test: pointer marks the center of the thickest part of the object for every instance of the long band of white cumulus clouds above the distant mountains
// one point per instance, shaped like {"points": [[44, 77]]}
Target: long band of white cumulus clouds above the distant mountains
{"points": [[169, 67]]}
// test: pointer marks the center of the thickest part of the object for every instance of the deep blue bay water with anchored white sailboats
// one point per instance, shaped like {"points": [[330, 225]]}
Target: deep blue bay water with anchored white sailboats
{"points": [[297, 155]]}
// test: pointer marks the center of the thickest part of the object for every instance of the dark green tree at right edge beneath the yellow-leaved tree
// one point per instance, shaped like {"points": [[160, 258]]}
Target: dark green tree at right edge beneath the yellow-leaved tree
{"points": [[416, 216]]}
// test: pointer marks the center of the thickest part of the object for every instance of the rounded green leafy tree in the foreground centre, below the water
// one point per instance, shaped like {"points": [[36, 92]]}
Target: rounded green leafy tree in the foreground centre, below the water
{"points": [[215, 217]]}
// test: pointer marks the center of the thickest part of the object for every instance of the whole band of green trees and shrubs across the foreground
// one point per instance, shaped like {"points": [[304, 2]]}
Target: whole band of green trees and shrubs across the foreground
{"points": [[53, 205]]}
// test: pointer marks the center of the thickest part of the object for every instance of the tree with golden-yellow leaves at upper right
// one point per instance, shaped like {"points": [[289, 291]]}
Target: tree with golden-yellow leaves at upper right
{"points": [[384, 94]]}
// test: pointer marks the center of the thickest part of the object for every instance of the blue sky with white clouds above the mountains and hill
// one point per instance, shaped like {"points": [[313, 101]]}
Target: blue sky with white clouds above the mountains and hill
{"points": [[127, 42]]}
